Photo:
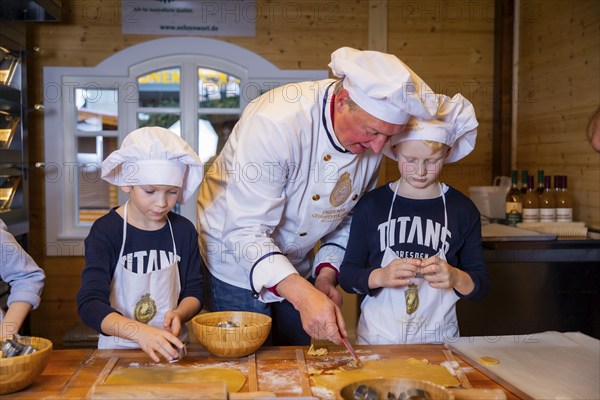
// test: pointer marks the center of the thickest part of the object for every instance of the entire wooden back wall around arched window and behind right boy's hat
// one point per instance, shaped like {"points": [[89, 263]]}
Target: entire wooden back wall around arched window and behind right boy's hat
{"points": [[453, 53]]}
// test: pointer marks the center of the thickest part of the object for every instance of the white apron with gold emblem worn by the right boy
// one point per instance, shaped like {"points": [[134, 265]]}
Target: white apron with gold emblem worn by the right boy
{"points": [[385, 317]]}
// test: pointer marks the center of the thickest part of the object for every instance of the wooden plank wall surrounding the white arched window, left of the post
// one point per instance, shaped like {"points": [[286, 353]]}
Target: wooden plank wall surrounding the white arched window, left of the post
{"points": [[290, 34]]}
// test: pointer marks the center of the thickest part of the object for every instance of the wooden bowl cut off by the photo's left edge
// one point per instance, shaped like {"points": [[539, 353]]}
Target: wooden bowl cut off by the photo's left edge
{"points": [[19, 372]]}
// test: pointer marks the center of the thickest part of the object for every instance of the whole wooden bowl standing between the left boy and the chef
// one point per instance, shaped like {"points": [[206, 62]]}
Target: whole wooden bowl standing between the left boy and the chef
{"points": [[231, 333]]}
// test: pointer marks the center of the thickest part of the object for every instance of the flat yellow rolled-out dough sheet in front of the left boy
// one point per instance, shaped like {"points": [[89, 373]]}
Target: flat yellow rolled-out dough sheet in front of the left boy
{"points": [[130, 376]]}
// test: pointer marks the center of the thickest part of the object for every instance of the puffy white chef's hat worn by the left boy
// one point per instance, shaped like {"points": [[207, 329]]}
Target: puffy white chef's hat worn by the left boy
{"points": [[154, 156]]}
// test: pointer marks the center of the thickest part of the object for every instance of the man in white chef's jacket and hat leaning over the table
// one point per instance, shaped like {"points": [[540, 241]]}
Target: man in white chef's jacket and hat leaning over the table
{"points": [[295, 165]]}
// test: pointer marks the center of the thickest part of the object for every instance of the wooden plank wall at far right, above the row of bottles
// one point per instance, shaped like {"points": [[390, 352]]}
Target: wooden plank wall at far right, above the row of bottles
{"points": [[559, 89]]}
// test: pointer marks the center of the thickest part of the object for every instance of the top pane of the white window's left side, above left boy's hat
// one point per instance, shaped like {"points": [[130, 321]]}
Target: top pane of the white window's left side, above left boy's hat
{"points": [[97, 109]]}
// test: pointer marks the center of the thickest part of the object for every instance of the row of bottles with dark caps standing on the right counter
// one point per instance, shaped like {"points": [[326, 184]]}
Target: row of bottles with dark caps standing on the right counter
{"points": [[542, 204]]}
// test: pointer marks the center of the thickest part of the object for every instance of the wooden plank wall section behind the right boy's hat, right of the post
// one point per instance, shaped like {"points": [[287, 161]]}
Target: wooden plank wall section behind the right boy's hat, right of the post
{"points": [[450, 45]]}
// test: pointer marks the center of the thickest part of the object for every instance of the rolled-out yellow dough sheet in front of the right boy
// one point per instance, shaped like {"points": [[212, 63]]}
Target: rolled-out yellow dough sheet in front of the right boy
{"points": [[409, 368]]}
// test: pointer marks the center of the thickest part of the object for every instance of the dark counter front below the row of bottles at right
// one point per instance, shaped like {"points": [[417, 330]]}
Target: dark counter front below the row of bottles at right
{"points": [[537, 286]]}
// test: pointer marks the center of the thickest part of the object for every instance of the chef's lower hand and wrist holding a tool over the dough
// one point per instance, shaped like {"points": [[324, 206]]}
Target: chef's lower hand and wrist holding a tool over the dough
{"points": [[321, 317]]}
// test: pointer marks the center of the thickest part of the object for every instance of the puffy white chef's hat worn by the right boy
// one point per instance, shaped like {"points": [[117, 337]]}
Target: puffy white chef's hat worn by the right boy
{"points": [[455, 125]]}
